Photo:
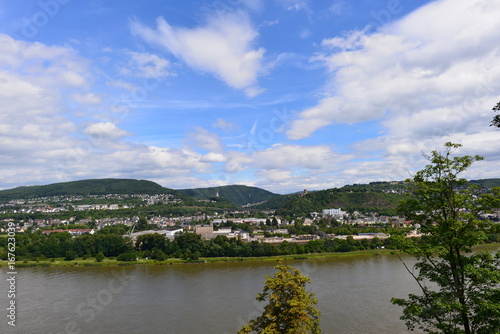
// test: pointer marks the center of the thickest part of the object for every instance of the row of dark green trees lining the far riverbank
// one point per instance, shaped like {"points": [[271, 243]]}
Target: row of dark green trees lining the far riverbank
{"points": [[111, 243]]}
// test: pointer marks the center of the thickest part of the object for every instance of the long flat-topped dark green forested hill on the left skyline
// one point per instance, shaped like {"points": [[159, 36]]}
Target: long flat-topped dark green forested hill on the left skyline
{"points": [[87, 187]]}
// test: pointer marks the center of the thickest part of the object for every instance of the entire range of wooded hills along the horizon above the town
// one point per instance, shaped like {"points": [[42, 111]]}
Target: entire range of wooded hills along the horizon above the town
{"points": [[381, 197]]}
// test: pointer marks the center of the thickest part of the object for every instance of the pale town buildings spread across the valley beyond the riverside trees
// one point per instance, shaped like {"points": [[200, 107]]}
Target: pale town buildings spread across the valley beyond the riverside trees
{"points": [[251, 225]]}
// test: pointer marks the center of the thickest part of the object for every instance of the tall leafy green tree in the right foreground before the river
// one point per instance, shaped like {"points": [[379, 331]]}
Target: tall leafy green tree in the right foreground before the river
{"points": [[460, 289]]}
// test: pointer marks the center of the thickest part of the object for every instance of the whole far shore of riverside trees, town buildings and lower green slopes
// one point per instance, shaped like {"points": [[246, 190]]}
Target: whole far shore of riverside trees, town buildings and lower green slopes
{"points": [[172, 225]]}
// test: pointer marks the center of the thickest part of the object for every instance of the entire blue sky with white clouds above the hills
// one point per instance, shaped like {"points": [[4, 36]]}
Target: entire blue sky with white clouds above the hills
{"points": [[280, 94]]}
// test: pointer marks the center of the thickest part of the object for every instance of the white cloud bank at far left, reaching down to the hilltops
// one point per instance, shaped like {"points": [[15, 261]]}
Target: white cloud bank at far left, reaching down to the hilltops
{"points": [[41, 139]]}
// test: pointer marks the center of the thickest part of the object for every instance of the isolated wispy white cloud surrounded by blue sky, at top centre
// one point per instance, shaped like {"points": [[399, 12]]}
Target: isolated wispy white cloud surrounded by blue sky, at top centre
{"points": [[222, 47]]}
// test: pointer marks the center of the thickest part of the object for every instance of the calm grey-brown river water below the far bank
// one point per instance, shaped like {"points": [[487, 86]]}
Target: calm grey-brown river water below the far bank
{"points": [[353, 292]]}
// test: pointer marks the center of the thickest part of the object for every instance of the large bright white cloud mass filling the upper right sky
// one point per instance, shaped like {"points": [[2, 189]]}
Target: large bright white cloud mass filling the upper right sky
{"points": [[419, 79]]}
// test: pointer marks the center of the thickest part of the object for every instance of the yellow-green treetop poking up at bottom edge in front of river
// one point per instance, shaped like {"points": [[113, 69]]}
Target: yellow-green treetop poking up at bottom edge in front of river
{"points": [[290, 308]]}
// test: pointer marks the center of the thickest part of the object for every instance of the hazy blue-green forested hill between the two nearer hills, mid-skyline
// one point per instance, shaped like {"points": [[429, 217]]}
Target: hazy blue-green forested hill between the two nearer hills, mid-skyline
{"points": [[238, 194]]}
